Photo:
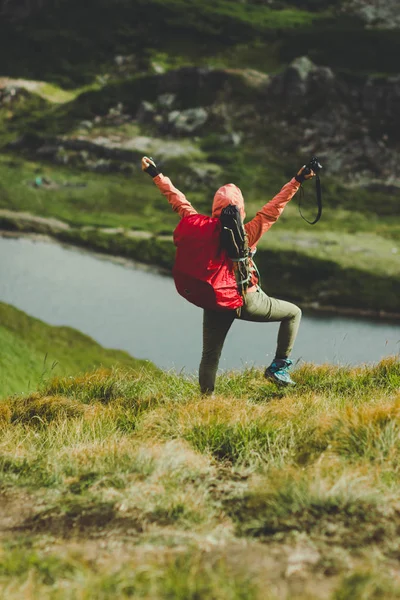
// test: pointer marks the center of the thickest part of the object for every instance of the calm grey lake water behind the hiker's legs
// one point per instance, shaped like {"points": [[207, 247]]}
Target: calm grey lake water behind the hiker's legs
{"points": [[132, 309]]}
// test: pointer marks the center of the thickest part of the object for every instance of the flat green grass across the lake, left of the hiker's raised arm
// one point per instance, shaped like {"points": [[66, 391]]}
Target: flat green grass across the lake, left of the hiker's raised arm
{"points": [[101, 201]]}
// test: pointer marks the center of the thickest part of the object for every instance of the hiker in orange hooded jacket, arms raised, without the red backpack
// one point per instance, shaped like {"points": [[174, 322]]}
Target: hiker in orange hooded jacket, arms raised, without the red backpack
{"points": [[258, 306]]}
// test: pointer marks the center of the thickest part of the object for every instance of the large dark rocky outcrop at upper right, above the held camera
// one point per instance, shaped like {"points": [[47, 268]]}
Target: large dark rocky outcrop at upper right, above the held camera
{"points": [[353, 125]]}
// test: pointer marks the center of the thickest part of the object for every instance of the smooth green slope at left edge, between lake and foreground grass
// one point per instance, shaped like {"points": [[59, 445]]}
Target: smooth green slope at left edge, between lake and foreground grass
{"points": [[32, 351]]}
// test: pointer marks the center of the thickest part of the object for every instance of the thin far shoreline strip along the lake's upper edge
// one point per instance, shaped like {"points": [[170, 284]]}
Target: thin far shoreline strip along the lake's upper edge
{"points": [[310, 307]]}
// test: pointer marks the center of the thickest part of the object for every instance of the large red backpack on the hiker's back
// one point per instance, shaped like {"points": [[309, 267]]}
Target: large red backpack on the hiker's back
{"points": [[203, 272]]}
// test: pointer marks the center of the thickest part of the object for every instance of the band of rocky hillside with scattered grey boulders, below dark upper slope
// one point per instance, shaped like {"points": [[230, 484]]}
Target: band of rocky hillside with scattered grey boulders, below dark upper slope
{"points": [[352, 122]]}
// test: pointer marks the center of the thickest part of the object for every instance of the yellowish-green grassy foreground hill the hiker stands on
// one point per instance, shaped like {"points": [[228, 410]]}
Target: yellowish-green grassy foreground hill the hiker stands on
{"points": [[120, 485]]}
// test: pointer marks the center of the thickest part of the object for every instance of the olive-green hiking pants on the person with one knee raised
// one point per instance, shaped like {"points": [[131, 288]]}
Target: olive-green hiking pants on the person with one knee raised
{"points": [[258, 307]]}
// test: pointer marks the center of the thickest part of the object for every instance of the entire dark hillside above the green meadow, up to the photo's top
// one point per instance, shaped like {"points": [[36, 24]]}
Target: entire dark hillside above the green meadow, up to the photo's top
{"points": [[328, 78]]}
